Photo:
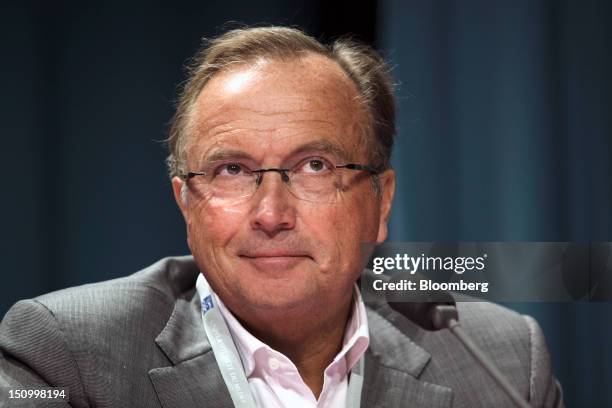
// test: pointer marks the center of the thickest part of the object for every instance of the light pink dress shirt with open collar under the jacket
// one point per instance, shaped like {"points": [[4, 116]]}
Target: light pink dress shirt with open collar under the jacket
{"points": [[275, 381]]}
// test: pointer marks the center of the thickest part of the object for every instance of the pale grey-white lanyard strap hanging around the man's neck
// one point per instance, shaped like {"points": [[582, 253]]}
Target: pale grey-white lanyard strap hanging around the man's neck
{"points": [[229, 362]]}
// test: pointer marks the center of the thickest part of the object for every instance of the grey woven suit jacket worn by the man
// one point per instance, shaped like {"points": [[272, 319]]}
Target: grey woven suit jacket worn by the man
{"points": [[138, 341]]}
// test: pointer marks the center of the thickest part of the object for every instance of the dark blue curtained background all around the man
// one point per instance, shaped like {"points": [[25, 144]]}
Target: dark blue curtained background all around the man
{"points": [[504, 135]]}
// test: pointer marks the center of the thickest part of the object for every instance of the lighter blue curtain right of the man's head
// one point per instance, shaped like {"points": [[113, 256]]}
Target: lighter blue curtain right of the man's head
{"points": [[505, 134]]}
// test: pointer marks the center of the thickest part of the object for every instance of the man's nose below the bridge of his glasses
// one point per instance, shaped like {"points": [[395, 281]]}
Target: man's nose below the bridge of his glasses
{"points": [[273, 210]]}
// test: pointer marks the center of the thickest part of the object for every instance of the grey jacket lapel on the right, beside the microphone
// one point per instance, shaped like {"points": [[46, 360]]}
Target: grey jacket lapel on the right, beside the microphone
{"points": [[393, 365]]}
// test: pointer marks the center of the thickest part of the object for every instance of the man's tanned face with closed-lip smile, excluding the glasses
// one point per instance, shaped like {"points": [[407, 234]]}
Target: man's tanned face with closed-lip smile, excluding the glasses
{"points": [[273, 251]]}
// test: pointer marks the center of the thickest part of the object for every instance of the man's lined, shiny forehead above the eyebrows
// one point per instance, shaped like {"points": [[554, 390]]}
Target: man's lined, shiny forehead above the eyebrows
{"points": [[273, 105]]}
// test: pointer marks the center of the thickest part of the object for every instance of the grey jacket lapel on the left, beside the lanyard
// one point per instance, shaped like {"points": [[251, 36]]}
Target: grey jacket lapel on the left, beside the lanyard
{"points": [[193, 380]]}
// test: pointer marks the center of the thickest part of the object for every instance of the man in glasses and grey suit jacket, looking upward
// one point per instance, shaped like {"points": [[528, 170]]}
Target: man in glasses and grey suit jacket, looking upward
{"points": [[279, 158]]}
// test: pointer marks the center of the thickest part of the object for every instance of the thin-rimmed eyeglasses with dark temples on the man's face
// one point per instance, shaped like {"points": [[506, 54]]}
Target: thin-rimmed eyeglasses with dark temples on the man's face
{"points": [[313, 179]]}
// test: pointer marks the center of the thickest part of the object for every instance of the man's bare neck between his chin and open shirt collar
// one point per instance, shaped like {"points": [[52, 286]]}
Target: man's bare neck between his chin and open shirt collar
{"points": [[309, 340]]}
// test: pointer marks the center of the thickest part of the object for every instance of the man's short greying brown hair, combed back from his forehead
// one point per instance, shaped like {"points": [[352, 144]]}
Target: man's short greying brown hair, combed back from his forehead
{"points": [[364, 66]]}
